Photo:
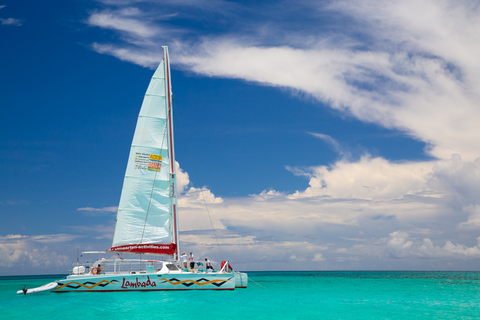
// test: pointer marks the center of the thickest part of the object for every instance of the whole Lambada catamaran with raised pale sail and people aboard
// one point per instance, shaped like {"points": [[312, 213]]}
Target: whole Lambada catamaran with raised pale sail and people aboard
{"points": [[147, 222]]}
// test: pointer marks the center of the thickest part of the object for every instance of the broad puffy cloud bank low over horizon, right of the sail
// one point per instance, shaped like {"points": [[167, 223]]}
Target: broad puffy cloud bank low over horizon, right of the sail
{"points": [[343, 220]]}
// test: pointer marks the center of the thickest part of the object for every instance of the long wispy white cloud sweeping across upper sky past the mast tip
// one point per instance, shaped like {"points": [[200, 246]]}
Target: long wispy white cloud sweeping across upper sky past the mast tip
{"points": [[402, 78]]}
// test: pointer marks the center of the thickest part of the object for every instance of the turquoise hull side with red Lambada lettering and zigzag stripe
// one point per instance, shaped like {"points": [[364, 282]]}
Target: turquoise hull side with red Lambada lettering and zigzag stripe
{"points": [[147, 282]]}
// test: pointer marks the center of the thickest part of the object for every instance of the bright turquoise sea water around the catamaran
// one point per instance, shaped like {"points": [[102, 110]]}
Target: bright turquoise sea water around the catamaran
{"points": [[270, 295]]}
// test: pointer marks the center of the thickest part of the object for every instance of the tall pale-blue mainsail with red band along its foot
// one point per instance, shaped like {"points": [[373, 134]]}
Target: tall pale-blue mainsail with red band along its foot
{"points": [[147, 220]]}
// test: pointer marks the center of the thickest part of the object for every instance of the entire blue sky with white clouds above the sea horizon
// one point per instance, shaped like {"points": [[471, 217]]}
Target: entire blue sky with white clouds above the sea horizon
{"points": [[329, 135]]}
